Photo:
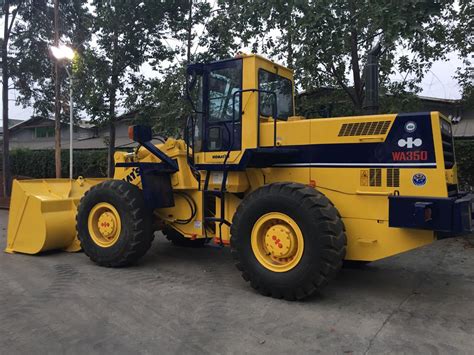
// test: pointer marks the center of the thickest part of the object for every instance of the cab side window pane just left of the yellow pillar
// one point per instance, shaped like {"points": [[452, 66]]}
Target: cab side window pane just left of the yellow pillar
{"points": [[223, 83]]}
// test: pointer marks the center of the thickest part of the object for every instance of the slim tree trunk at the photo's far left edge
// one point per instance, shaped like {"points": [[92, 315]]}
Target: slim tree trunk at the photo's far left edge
{"points": [[5, 74]]}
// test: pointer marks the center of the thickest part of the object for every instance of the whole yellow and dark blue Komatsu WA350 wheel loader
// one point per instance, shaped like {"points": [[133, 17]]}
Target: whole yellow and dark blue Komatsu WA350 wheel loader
{"points": [[292, 197]]}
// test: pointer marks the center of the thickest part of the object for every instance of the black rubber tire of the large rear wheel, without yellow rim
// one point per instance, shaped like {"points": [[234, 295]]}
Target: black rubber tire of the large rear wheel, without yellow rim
{"points": [[323, 232]]}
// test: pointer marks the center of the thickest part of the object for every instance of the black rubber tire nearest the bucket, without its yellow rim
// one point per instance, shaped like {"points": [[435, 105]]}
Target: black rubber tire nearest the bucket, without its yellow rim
{"points": [[136, 221]]}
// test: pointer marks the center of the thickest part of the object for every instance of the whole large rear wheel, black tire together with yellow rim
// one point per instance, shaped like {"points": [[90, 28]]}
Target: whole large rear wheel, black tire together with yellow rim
{"points": [[288, 240]]}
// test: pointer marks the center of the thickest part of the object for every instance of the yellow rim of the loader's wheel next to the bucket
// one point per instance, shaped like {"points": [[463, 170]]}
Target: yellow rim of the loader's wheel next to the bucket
{"points": [[104, 224]]}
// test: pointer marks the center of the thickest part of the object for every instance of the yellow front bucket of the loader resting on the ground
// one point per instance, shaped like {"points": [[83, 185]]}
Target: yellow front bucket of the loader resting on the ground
{"points": [[43, 214]]}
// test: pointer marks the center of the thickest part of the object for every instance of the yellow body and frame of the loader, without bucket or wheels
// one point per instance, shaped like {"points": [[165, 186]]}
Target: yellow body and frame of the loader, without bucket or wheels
{"points": [[364, 208]]}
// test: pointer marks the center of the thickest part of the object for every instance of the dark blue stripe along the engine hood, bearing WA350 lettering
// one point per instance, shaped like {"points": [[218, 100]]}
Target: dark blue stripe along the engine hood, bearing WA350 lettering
{"points": [[379, 154]]}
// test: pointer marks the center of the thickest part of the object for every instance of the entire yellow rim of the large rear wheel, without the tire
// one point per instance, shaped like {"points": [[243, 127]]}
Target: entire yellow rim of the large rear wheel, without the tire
{"points": [[277, 242]]}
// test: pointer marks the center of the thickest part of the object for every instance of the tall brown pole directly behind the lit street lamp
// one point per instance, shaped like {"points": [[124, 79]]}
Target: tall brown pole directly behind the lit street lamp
{"points": [[57, 93]]}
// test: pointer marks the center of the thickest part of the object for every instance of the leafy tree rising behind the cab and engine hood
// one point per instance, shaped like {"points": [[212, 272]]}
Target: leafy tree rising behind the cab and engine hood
{"points": [[326, 41]]}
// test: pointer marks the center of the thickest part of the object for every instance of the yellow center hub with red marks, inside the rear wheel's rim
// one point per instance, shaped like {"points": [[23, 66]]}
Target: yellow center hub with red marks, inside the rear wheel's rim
{"points": [[280, 241]]}
